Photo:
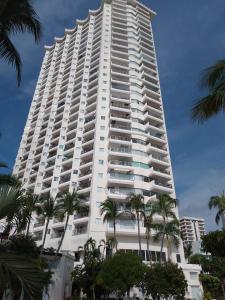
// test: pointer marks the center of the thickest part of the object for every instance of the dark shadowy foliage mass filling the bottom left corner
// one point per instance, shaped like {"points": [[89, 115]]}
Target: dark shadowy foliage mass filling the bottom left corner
{"points": [[22, 268]]}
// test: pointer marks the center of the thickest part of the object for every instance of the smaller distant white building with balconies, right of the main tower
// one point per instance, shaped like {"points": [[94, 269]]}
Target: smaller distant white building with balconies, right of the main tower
{"points": [[192, 229]]}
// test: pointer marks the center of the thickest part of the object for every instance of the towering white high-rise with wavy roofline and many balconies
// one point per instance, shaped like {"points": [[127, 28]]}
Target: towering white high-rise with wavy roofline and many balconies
{"points": [[96, 123]]}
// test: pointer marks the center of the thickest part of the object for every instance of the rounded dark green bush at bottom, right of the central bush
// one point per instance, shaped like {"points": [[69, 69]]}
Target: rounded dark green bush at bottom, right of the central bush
{"points": [[165, 281]]}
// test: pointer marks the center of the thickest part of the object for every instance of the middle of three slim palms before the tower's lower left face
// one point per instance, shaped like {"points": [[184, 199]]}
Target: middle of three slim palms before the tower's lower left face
{"points": [[48, 210]]}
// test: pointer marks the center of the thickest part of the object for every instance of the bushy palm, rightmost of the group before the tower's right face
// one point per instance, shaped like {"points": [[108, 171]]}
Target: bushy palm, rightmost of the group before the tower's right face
{"points": [[169, 232]]}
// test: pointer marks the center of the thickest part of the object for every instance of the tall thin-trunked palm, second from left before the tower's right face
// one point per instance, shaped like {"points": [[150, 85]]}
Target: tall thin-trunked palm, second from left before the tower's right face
{"points": [[136, 204]]}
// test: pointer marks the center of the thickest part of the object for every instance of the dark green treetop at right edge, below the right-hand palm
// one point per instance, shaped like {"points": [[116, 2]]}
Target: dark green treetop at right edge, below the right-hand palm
{"points": [[214, 243]]}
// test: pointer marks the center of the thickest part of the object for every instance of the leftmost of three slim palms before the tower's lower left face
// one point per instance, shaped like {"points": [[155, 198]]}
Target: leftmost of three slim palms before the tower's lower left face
{"points": [[30, 204]]}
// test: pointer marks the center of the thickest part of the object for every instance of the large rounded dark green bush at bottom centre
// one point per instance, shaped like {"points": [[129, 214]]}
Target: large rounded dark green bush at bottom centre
{"points": [[121, 272]]}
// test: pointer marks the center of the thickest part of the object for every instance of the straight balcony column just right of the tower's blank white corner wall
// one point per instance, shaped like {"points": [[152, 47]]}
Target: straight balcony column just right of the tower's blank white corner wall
{"points": [[120, 157]]}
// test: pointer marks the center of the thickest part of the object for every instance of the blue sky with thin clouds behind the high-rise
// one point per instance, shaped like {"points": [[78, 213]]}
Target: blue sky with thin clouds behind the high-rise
{"points": [[189, 36]]}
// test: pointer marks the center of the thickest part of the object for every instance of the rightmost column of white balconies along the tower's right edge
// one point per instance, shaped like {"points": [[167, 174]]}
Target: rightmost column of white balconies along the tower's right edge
{"points": [[153, 114]]}
